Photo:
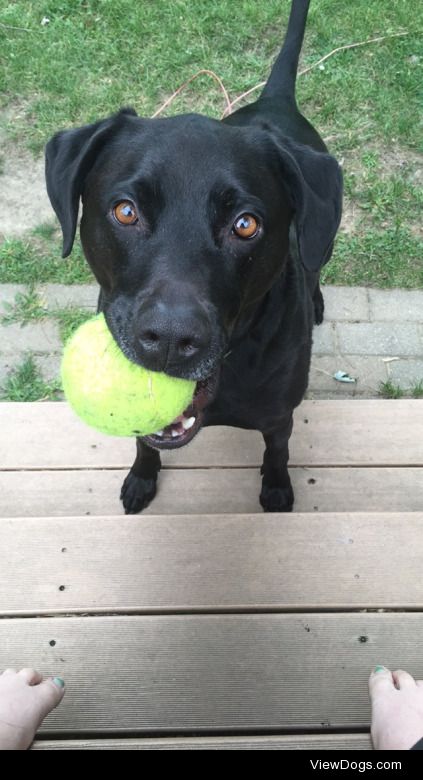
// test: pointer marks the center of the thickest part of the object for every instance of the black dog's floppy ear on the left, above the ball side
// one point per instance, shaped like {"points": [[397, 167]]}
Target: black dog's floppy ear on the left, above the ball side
{"points": [[70, 154]]}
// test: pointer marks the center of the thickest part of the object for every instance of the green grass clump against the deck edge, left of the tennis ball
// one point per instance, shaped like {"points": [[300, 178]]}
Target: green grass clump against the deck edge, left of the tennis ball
{"points": [[25, 383]]}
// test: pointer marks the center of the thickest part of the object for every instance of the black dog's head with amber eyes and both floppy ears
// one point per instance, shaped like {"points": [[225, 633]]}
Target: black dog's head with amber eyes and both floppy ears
{"points": [[186, 225]]}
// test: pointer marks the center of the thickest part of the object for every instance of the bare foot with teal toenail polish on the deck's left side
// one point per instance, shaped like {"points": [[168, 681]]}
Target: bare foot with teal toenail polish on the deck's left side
{"points": [[25, 700]]}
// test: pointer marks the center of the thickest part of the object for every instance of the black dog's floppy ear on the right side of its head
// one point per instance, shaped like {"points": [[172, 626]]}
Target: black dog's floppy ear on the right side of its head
{"points": [[313, 181]]}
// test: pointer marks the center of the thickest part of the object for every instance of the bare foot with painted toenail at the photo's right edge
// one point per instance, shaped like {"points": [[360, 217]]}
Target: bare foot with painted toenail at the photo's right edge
{"points": [[397, 709]]}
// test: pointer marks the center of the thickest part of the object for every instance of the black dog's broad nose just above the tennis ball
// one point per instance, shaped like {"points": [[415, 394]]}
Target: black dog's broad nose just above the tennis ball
{"points": [[170, 335]]}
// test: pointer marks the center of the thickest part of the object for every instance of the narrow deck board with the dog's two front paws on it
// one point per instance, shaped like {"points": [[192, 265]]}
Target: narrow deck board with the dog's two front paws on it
{"points": [[209, 491]]}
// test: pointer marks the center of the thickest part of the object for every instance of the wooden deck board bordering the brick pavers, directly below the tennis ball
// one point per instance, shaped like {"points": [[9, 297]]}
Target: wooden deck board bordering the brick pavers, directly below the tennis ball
{"points": [[363, 432]]}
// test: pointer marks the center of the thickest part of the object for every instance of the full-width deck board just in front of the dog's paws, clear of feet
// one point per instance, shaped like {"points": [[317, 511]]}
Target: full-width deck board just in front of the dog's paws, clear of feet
{"points": [[211, 563]]}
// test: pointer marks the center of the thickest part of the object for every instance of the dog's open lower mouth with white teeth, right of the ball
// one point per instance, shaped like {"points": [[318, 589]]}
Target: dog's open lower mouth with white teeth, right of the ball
{"points": [[183, 429]]}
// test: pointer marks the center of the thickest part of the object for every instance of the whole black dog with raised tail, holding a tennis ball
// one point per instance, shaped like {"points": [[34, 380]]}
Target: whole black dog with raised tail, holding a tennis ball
{"points": [[207, 238]]}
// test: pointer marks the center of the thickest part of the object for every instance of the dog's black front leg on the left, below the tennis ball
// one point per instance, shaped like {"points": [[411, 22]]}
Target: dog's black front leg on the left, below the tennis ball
{"points": [[139, 487]]}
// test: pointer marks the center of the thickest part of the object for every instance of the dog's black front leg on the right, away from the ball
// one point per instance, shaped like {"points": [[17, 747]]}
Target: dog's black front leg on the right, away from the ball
{"points": [[276, 493]]}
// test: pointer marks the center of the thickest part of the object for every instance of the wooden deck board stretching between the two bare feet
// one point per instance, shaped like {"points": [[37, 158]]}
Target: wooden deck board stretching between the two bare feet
{"points": [[222, 673]]}
